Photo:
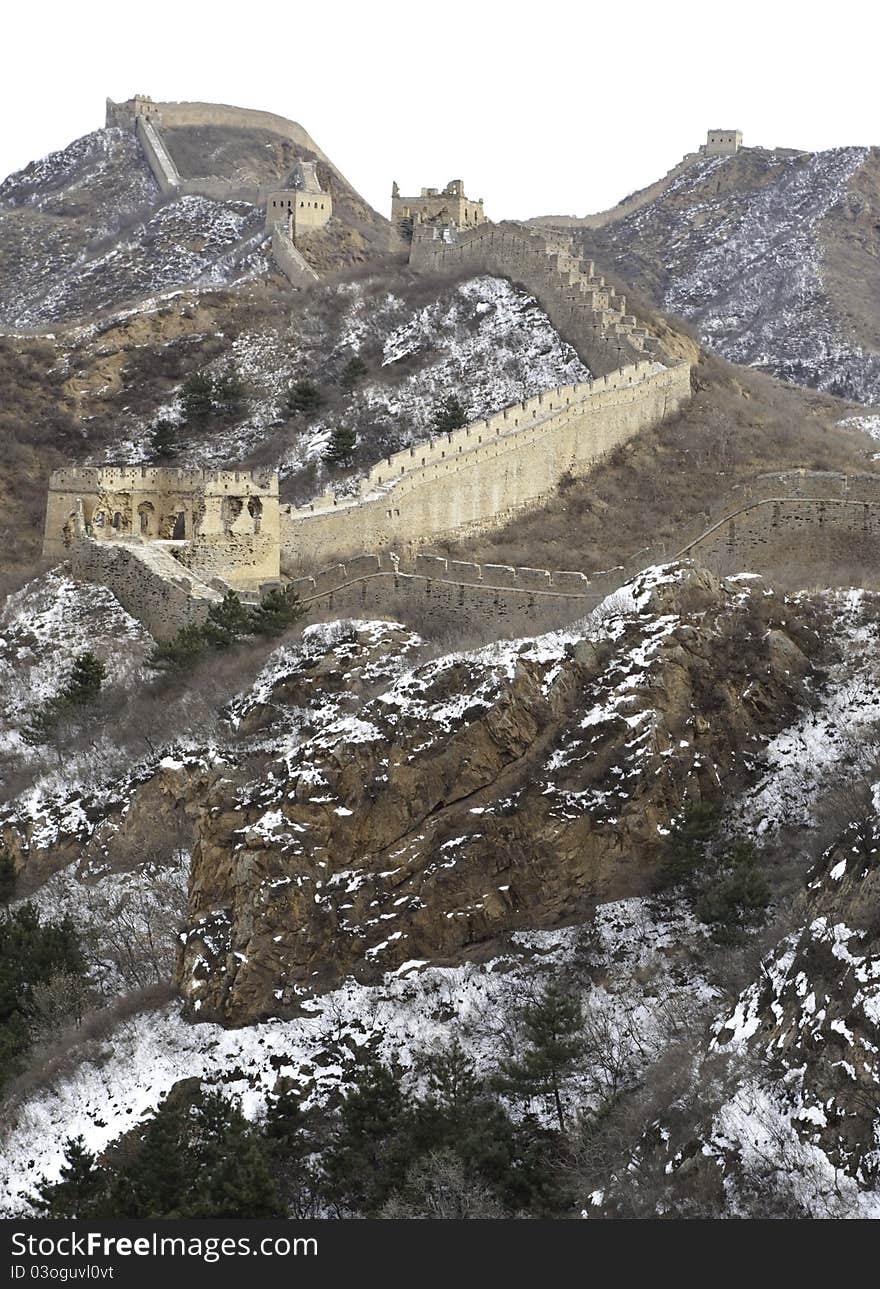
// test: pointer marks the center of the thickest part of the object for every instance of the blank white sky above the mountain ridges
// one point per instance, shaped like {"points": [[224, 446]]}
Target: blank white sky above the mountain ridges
{"points": [[559, 108]]}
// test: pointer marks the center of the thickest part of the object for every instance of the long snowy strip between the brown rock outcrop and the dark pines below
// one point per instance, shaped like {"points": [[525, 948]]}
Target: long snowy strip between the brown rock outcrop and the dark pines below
{"points": [[126, 1077]]}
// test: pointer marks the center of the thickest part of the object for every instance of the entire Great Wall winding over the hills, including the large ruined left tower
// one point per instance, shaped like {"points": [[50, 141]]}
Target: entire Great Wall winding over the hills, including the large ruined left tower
{"points": [[365, 552]]}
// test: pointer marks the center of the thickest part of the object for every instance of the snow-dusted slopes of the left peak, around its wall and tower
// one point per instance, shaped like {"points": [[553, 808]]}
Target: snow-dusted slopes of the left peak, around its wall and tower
{"points": [[86, 230]]}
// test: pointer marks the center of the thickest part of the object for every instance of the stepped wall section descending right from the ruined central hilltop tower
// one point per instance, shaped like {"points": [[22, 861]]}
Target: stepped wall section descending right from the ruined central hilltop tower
{"points": [[582, 306]]}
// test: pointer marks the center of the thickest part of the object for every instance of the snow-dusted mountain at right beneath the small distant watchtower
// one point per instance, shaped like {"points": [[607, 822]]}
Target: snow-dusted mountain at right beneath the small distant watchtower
{"points": [[774, 256]]}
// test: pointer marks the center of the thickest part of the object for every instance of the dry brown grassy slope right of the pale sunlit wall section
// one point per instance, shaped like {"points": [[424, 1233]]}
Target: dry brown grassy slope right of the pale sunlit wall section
{"points": [[662, 484]]}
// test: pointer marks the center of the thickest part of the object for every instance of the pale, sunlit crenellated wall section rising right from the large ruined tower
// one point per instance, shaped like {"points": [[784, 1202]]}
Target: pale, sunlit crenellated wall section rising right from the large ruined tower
{"points": [[475, 479]]}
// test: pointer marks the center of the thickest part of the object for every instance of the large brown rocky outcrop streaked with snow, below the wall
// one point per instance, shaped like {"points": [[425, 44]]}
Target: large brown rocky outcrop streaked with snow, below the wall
{"points": [[485, 793]]}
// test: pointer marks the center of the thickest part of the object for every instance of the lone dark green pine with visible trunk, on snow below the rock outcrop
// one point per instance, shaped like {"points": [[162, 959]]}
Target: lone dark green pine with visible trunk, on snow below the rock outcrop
{"points": [[553, 1046]]}
